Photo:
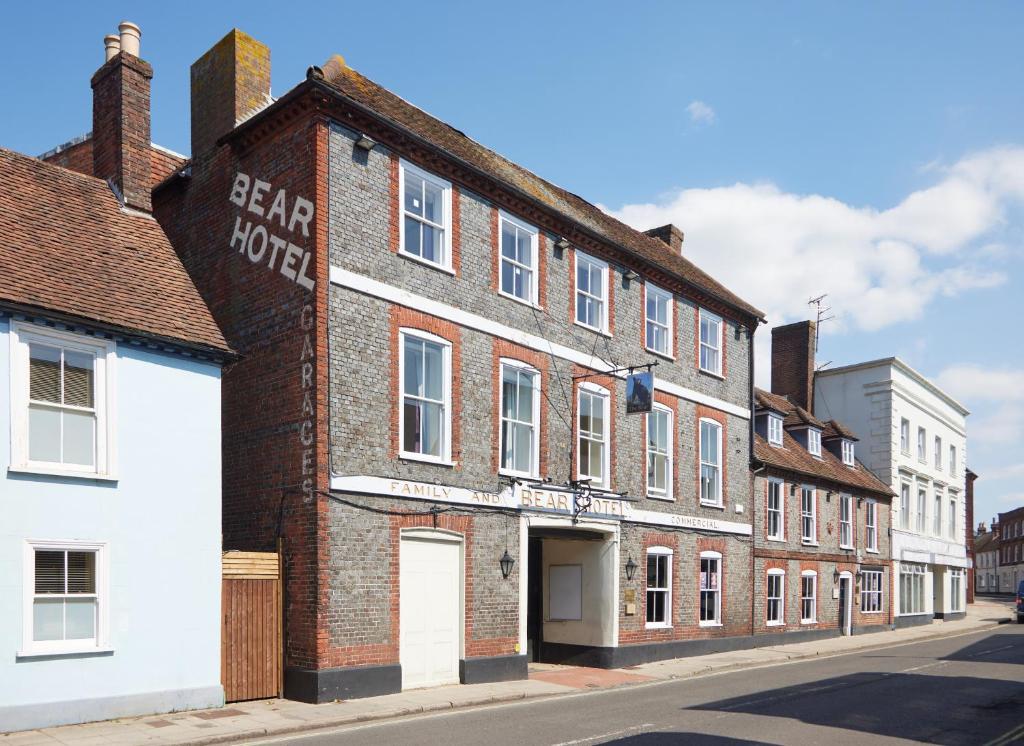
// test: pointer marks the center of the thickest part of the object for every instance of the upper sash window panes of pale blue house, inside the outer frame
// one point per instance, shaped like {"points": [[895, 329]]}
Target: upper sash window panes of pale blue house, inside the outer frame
{"points": [[62, 406]]}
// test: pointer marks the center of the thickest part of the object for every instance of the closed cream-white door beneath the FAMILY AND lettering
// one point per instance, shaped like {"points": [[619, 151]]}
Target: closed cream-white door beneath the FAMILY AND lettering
{"points": [[432, 612]]}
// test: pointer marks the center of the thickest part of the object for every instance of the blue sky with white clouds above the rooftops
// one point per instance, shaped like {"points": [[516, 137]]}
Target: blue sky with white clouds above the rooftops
{"points": [[872, 152]]}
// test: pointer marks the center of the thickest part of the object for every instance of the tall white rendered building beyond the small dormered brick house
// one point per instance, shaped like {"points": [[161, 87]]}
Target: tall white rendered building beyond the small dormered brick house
{"points": [[914, 437]]}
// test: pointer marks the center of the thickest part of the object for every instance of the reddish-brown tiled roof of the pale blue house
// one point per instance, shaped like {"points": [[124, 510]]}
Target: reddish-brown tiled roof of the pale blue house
{"points": [[70, 248]]}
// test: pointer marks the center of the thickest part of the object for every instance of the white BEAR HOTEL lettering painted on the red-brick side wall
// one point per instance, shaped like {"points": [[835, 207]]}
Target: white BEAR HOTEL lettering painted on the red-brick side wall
{"points": [[280, 213]]}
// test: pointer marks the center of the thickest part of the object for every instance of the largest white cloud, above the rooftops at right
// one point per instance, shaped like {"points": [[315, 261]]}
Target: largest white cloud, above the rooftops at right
{"points": [[880, 268]]}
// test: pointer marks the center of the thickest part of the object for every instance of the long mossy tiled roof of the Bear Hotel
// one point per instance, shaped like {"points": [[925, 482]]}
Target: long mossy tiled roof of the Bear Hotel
{"points": [[351, 84]]}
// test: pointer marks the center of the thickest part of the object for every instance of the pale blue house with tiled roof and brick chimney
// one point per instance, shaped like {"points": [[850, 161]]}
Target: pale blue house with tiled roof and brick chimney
{"points": [[110, 435]]}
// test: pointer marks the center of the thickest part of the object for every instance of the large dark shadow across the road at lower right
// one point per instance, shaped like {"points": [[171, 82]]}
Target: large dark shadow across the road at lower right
{"points": [[934, 709]]}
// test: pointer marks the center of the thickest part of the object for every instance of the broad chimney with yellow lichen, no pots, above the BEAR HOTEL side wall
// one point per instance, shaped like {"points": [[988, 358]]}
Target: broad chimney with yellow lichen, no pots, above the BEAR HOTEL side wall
{"points": [[230, 83]]}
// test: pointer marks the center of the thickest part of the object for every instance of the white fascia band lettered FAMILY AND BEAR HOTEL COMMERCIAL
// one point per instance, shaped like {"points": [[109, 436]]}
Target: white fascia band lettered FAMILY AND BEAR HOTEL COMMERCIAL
{"points": [[532, 501]]}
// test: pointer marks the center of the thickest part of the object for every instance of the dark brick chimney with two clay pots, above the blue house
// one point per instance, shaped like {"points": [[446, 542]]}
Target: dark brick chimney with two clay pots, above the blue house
{"points": [[121, 119]]}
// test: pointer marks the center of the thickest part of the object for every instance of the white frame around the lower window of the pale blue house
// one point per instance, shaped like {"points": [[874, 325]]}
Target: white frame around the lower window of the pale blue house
{"points": [[101, 643]]}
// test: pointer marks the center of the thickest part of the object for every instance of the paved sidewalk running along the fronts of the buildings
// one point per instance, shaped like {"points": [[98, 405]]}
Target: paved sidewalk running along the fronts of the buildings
{"points": [[278, 718]]}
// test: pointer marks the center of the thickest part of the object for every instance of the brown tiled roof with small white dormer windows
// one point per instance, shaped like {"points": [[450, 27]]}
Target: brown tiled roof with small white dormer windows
{"points": [[792, 457]]}
